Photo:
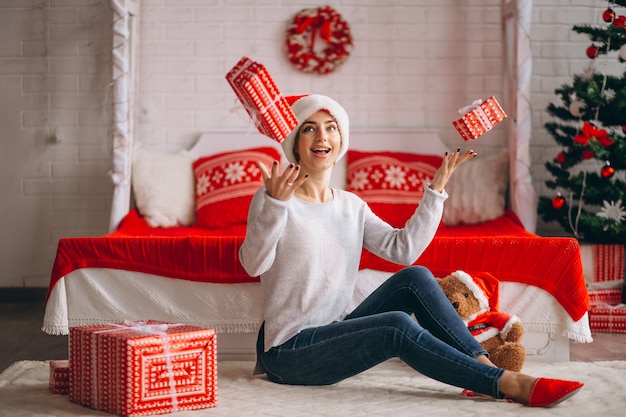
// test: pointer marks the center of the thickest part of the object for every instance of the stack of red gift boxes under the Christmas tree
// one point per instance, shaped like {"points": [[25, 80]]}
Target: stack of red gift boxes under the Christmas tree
{"points": [[607, 311]]}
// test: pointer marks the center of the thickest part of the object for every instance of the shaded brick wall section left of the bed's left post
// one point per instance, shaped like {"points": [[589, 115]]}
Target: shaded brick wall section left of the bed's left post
{"points": [[56, 129]]}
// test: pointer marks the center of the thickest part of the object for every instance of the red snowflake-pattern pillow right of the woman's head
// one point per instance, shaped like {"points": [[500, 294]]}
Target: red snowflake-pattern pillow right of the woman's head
{"points": [[392, 183]]}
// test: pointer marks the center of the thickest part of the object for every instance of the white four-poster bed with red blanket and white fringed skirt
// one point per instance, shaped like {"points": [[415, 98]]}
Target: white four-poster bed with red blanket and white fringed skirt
{"points": [[192, 275]]}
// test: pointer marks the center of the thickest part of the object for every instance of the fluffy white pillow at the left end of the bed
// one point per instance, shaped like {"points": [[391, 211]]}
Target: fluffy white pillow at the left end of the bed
{"points": [[164, 187]]}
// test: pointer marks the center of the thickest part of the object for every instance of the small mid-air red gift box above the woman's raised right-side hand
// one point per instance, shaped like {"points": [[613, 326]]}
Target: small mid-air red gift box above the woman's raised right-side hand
{"points": [[479, 118]]}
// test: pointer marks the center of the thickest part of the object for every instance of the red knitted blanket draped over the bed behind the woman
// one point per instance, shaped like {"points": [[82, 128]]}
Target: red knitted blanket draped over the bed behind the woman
{"points": [[501, 247]]}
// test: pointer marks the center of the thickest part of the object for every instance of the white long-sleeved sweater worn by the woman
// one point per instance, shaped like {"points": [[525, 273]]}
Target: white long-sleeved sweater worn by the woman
{"points": [[307, 254]]}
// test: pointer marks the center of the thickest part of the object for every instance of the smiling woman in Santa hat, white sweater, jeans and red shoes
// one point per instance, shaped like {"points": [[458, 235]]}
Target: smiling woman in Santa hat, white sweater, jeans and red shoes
{"points": [[305, 239]]}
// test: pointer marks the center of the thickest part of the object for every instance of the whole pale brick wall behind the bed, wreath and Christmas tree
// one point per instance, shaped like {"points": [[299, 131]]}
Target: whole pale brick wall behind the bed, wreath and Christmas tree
{"points": [[415, 62]]}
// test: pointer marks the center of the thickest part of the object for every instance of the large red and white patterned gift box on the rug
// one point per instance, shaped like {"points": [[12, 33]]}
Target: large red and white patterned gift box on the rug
{"points": [[143, 368]]}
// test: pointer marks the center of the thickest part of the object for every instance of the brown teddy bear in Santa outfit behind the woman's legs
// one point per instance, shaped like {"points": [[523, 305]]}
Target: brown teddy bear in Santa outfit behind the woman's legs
{"points": [[475, 298]]}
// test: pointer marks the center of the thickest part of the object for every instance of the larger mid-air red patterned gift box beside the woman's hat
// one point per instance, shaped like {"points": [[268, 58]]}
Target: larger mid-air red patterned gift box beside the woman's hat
{"points": [[261, 98]]}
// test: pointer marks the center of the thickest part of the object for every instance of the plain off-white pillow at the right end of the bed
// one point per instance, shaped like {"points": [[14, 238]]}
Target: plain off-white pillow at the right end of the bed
{"points": [[477, 191]]}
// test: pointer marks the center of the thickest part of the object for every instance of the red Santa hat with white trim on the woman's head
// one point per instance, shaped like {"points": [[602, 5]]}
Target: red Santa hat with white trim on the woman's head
{"points": [[307, 105]]}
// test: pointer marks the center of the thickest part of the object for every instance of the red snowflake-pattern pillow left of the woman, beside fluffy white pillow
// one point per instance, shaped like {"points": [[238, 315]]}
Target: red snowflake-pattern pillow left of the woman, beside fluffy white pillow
{"points": [[225, 184]]}
